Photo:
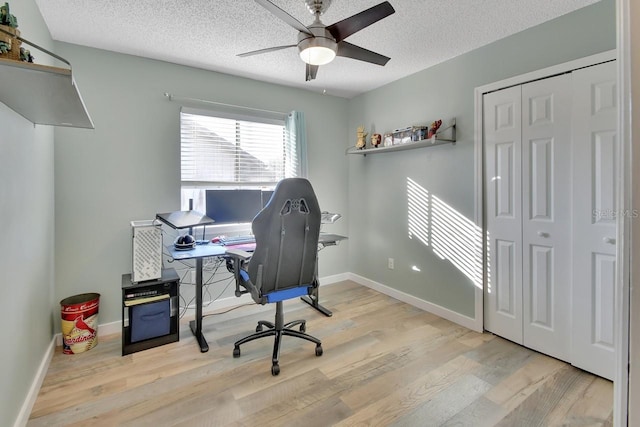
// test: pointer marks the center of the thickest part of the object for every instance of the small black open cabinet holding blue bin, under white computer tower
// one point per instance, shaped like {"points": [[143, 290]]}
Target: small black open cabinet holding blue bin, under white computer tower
{"points": [[150, 312]]}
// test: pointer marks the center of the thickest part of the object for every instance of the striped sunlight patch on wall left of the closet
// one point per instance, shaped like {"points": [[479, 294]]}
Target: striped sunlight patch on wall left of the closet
{"points": [[450, 234]]}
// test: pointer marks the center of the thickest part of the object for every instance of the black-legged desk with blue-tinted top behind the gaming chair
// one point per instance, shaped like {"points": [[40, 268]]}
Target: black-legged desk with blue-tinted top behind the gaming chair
{"points": [[216, 250]]}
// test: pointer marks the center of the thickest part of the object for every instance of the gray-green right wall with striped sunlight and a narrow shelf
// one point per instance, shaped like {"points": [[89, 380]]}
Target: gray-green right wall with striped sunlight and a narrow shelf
{"points": [[378, 183]]}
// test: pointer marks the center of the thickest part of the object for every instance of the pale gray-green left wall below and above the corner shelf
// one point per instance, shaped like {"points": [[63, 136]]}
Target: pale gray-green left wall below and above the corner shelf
{"points": [[26, 248]]}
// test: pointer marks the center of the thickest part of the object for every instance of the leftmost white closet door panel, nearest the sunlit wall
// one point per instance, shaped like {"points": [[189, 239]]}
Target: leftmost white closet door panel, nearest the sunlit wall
{"points": [[502, 186]]}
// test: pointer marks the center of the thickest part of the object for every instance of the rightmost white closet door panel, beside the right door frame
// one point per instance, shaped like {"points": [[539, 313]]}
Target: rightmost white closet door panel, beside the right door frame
{"points": [[595, 147]]}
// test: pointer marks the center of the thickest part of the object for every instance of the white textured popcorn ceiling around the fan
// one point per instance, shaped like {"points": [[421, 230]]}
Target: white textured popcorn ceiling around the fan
{"points": [[209, 34]]}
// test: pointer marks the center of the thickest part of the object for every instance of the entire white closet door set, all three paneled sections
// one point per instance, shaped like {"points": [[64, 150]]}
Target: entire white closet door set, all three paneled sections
{"points": [[549, 149]]}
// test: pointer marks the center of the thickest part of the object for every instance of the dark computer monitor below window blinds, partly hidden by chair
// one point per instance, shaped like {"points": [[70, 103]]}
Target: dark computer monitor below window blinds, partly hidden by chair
{"points": [[235, 206]]}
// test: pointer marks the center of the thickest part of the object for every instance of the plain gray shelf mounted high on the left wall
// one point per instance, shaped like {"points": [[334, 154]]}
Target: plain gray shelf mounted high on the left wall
{"points": [[43, 94]]}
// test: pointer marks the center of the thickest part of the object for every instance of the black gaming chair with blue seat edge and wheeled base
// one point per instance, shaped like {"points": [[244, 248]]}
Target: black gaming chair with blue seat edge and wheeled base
{"points": [[283, 265]]}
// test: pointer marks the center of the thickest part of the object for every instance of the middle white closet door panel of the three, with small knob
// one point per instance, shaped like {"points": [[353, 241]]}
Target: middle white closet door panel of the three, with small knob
{"points": [[546, 226]]}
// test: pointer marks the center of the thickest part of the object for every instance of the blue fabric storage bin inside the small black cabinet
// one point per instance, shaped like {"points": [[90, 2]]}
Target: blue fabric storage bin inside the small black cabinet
{"points": [[150, 320]]}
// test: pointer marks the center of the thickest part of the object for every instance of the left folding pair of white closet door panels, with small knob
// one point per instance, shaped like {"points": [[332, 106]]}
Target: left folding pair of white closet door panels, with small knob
{"points": [[528, 183]]}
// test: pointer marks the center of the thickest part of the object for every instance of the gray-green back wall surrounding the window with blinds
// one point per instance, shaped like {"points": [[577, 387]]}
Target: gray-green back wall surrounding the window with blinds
{"points": [[128, 167]]}
